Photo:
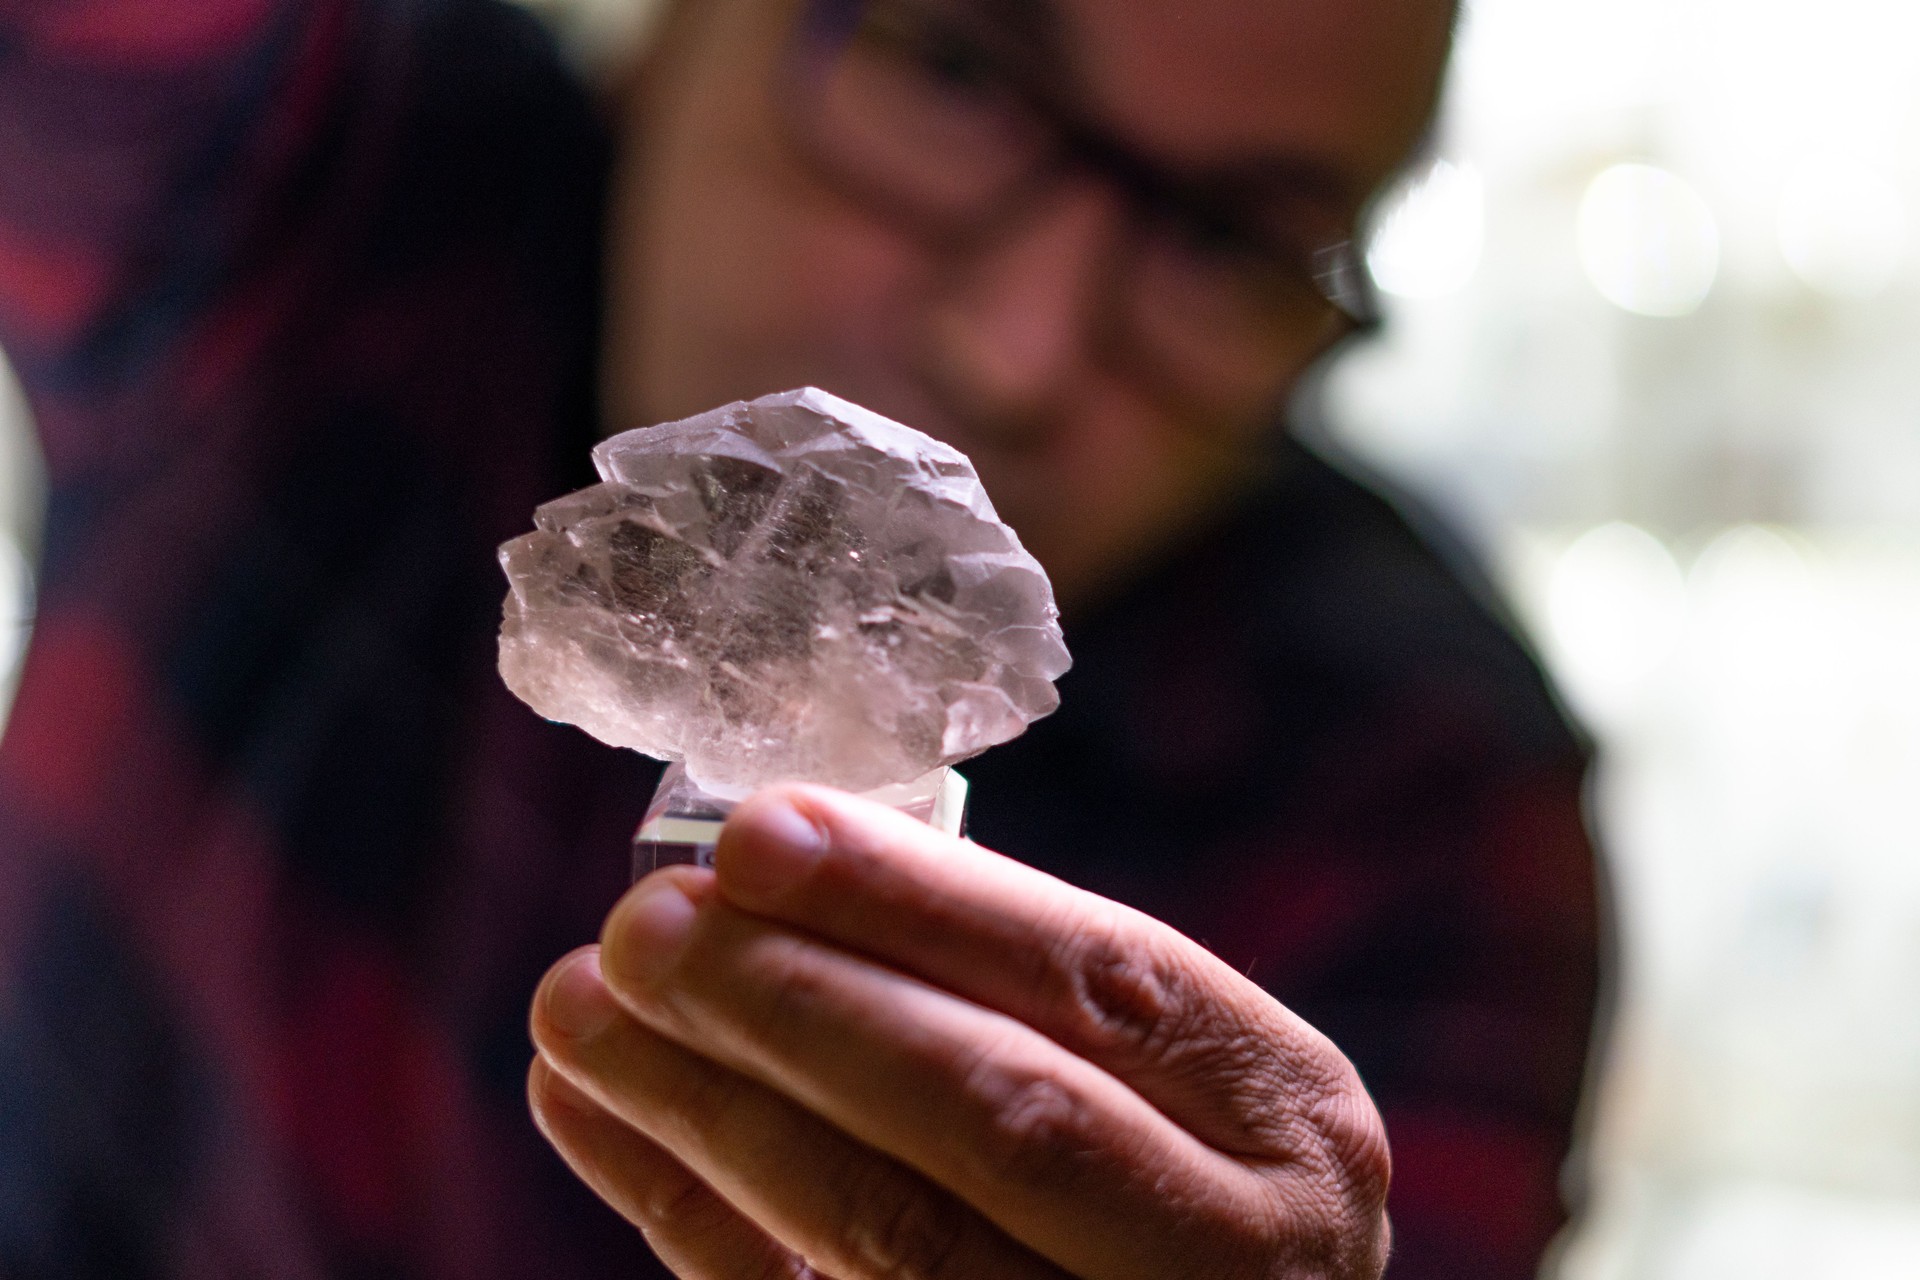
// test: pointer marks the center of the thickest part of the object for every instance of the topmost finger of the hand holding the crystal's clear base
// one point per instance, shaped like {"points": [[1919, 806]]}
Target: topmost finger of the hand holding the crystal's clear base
{"points": [[1105, 982]]}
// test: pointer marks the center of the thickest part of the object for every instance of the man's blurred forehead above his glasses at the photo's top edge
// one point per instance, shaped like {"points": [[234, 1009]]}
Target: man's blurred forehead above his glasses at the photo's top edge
{"points": [[1341, 83]]}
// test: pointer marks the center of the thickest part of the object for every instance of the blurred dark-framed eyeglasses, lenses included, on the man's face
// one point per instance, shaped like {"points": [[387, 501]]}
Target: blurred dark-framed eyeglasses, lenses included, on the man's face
{"points": [[946, 122]]}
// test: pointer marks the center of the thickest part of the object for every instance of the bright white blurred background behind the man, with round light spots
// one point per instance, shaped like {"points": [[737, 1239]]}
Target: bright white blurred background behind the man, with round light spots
{"points": [[1652, 348]]}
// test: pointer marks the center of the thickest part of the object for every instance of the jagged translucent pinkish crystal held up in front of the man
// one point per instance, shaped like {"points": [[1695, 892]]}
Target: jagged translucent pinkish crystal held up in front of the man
{"points": [[790, 588]]}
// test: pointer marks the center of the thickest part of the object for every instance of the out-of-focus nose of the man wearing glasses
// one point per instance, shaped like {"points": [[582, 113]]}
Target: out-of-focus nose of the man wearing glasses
{"points": [[1017, 320]]}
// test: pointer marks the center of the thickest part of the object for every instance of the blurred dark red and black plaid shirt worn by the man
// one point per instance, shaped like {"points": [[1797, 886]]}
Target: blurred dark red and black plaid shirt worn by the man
{"points": [[304, 298]]}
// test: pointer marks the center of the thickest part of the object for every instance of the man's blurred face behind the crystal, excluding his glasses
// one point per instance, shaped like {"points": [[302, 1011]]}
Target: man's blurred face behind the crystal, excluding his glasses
{"points": [[740, 266]]}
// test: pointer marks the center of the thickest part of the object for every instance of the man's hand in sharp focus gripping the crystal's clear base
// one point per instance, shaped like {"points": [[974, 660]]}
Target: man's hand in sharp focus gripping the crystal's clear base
{"points": [[861, 1049]]}
